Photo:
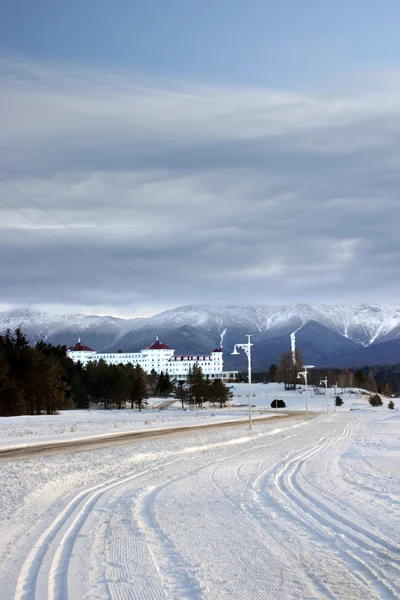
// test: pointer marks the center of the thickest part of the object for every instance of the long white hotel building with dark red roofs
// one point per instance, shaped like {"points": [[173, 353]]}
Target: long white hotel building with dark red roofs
{"points": [[159, 357]]}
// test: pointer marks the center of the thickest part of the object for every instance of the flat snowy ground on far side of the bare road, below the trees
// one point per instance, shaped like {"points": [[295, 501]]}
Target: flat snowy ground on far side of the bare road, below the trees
{"points": [[77, 424]]}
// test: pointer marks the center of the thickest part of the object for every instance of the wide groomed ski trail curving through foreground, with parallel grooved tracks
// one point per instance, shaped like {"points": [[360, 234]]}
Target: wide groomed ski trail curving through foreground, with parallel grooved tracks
{"points": [[256, 527]]}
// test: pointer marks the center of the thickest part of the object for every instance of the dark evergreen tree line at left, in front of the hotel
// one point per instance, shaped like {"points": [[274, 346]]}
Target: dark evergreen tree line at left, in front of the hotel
{"points": [[43, 379]]}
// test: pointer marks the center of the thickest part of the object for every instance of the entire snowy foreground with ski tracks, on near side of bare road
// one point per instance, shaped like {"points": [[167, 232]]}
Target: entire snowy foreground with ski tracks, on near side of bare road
{"points": [[294, 510]]}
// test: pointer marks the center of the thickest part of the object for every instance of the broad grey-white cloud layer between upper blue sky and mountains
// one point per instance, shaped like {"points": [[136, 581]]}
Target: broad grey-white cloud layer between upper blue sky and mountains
{"points": [[197, 194]]}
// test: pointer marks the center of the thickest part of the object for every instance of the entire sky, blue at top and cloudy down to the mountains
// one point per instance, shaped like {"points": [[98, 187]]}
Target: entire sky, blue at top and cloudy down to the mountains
{"points": [[170, 152]]}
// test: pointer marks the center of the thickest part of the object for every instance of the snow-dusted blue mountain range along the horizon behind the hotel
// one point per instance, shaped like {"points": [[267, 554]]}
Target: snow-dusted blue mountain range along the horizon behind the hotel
{"points": [[326, 335]]}
